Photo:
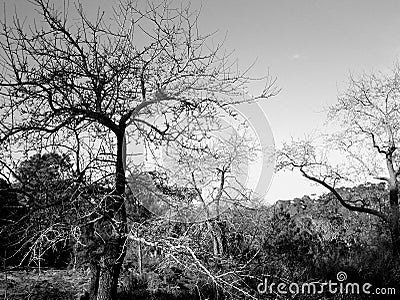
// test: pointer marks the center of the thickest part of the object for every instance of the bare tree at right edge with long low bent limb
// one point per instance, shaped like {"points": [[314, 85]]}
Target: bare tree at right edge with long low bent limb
{"points": [[366, 147]]}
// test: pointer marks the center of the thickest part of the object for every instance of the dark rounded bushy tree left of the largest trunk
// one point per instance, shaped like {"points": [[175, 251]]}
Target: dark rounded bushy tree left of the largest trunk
{"points": [[38, 211]]}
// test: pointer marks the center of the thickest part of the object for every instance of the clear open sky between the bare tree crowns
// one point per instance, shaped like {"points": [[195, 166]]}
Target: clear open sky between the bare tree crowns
{"points": [[311, 46]]}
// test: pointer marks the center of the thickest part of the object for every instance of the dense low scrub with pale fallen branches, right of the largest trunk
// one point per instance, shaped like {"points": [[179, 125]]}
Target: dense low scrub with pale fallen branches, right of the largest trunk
{"points": [[302, 241]]}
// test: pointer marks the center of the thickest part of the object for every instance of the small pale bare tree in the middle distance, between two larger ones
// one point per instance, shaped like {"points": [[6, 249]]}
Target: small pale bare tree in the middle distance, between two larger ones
{"points": [[218, 172]]}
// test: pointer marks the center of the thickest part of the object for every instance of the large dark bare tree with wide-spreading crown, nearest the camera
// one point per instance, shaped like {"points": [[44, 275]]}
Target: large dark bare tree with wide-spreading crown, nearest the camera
{"points": [[92, 86]]}
